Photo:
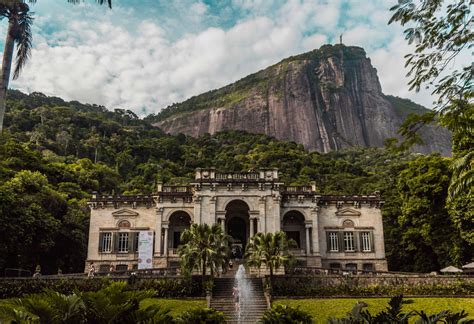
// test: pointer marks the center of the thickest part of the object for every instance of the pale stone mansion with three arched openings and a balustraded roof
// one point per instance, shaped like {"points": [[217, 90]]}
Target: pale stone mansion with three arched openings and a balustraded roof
{"points": [[338, 232]]}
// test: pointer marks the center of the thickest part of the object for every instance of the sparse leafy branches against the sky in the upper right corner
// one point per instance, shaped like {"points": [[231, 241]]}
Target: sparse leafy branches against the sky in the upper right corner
{"points": [[440, 33]]}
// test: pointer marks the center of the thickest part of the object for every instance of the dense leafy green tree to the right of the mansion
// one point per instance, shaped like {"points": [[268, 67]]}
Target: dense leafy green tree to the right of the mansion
{"points": [[424, 220]]}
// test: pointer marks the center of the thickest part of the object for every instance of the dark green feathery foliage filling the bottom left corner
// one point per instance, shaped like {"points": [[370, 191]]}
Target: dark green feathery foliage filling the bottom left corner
{"points": [[111, 304]]}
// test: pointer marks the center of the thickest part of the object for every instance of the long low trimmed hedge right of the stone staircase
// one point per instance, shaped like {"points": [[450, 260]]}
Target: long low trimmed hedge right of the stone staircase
{"points": [[310, 286]]}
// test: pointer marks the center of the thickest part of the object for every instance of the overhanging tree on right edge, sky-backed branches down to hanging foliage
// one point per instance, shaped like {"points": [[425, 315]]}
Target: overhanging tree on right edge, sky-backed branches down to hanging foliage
{"points": [[441, 32]]}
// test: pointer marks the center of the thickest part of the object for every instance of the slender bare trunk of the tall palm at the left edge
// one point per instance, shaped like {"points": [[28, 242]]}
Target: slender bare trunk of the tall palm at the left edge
{"points": [[6, 68]]}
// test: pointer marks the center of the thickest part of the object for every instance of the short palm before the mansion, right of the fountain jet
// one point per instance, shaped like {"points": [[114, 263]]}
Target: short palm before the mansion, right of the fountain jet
{"points": [[270, 249]]}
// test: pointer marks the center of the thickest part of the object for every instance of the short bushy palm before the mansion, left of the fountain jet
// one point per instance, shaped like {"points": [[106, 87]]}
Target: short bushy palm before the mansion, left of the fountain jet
{"points": [[203, 247]]}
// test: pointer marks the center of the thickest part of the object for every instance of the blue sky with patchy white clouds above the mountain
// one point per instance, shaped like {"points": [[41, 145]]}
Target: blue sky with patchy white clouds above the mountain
{"points": [[144, 55]]}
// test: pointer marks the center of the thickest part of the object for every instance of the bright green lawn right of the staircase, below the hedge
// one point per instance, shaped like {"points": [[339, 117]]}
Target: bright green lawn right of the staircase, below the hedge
{"points": [[322, 309]]}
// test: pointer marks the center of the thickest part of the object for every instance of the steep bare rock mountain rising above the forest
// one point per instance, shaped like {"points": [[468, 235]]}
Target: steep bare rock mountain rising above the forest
{"points": [[326, 99]]}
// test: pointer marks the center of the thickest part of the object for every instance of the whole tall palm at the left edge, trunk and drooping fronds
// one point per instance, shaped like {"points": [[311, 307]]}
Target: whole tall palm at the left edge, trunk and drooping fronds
{"points": [[19, 32]]}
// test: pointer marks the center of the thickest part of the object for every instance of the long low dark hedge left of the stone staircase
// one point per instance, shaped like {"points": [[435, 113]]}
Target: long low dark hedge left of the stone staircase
{"points": [[164, 287]]}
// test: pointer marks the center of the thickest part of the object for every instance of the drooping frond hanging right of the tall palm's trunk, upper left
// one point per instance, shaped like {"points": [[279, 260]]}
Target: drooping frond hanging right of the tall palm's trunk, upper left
{"points": [[23, 41]]}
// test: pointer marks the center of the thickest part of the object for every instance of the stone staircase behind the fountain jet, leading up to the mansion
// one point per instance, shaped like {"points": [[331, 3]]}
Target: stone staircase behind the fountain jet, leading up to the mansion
{"points": [[251, 308]]}
